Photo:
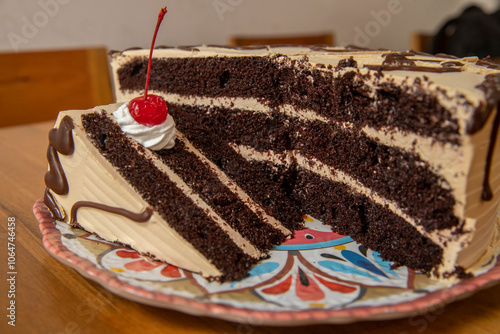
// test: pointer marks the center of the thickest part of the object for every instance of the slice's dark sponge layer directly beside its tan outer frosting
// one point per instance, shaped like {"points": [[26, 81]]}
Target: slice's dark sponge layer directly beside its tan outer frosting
{"points": [[181, 213]]}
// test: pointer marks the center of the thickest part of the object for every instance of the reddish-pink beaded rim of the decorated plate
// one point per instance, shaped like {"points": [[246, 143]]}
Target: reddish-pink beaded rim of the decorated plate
{"points": [[51, 239]]}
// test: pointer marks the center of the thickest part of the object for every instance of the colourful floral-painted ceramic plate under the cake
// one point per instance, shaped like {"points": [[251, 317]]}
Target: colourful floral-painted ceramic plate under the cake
{"points": [[317, 277]]}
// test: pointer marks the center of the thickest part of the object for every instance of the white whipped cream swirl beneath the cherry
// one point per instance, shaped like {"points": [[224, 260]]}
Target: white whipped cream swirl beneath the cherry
{"points": [[155, 137]]}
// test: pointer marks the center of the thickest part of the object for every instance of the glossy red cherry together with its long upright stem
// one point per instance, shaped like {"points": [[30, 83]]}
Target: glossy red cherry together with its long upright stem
{"points": [[150, 110]]}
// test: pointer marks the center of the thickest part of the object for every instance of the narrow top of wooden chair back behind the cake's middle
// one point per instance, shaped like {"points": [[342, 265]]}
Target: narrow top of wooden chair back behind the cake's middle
{"points": [[319, 39]]}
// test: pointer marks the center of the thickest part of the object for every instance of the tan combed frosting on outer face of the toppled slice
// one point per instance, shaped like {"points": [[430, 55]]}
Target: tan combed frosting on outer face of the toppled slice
{"points": [[92, 178]]}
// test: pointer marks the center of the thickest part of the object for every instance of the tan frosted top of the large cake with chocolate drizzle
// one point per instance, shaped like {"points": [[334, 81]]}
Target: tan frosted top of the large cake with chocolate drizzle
{"points": [[463, 75]]}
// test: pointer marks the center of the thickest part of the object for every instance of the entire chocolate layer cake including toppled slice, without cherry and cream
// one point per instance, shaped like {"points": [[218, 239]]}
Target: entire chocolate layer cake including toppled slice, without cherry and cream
{"points": [[397, 150]]}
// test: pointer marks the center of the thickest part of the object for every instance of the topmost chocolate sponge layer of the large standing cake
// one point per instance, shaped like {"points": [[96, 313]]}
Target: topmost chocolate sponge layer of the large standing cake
{"points": [[277, 80]]}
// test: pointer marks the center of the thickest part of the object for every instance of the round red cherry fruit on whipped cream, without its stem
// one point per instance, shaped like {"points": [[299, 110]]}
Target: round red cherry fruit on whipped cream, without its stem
{"points": [[149, 111]]}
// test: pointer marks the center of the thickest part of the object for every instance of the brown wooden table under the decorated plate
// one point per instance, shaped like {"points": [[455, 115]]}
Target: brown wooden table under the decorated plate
{"points": [[53, 298]]}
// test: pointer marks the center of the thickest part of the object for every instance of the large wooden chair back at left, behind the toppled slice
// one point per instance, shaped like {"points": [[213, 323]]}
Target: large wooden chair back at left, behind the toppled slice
{"points": [[35, 86]]}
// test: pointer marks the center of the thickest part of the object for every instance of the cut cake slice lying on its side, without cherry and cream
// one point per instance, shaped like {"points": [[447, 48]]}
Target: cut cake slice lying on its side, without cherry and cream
{"points": [[125, 193]]}
